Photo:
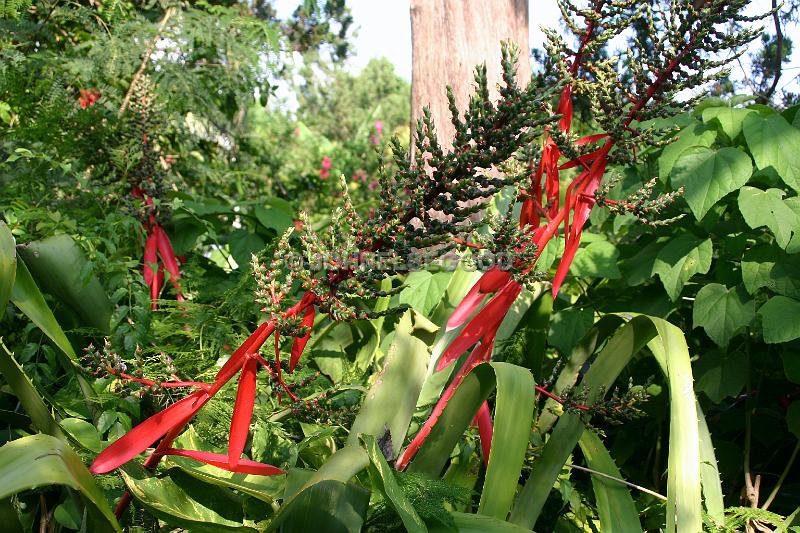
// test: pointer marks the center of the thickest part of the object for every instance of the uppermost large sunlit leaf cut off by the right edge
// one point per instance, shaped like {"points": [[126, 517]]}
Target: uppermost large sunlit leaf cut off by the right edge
{"points": [[774, 143]]}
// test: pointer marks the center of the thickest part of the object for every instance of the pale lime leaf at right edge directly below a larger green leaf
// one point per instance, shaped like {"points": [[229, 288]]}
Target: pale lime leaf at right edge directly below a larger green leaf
{"points": [[767, 208]]}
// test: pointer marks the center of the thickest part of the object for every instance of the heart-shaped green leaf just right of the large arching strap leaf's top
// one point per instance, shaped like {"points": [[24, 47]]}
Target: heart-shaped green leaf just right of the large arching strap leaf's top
{"points": [[721, 312]]}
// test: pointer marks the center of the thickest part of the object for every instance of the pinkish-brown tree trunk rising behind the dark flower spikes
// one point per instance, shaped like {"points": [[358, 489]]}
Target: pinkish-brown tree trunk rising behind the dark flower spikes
{"points": [[449, 38]]}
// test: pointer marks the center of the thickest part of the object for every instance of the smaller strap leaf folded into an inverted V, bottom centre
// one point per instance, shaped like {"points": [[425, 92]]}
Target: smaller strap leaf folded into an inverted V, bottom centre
{"points": [[513, 414]]}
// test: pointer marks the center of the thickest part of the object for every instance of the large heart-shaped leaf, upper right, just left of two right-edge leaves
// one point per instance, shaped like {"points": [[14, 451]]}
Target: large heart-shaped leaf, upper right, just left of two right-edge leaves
{"points": [[709, 175]]}
